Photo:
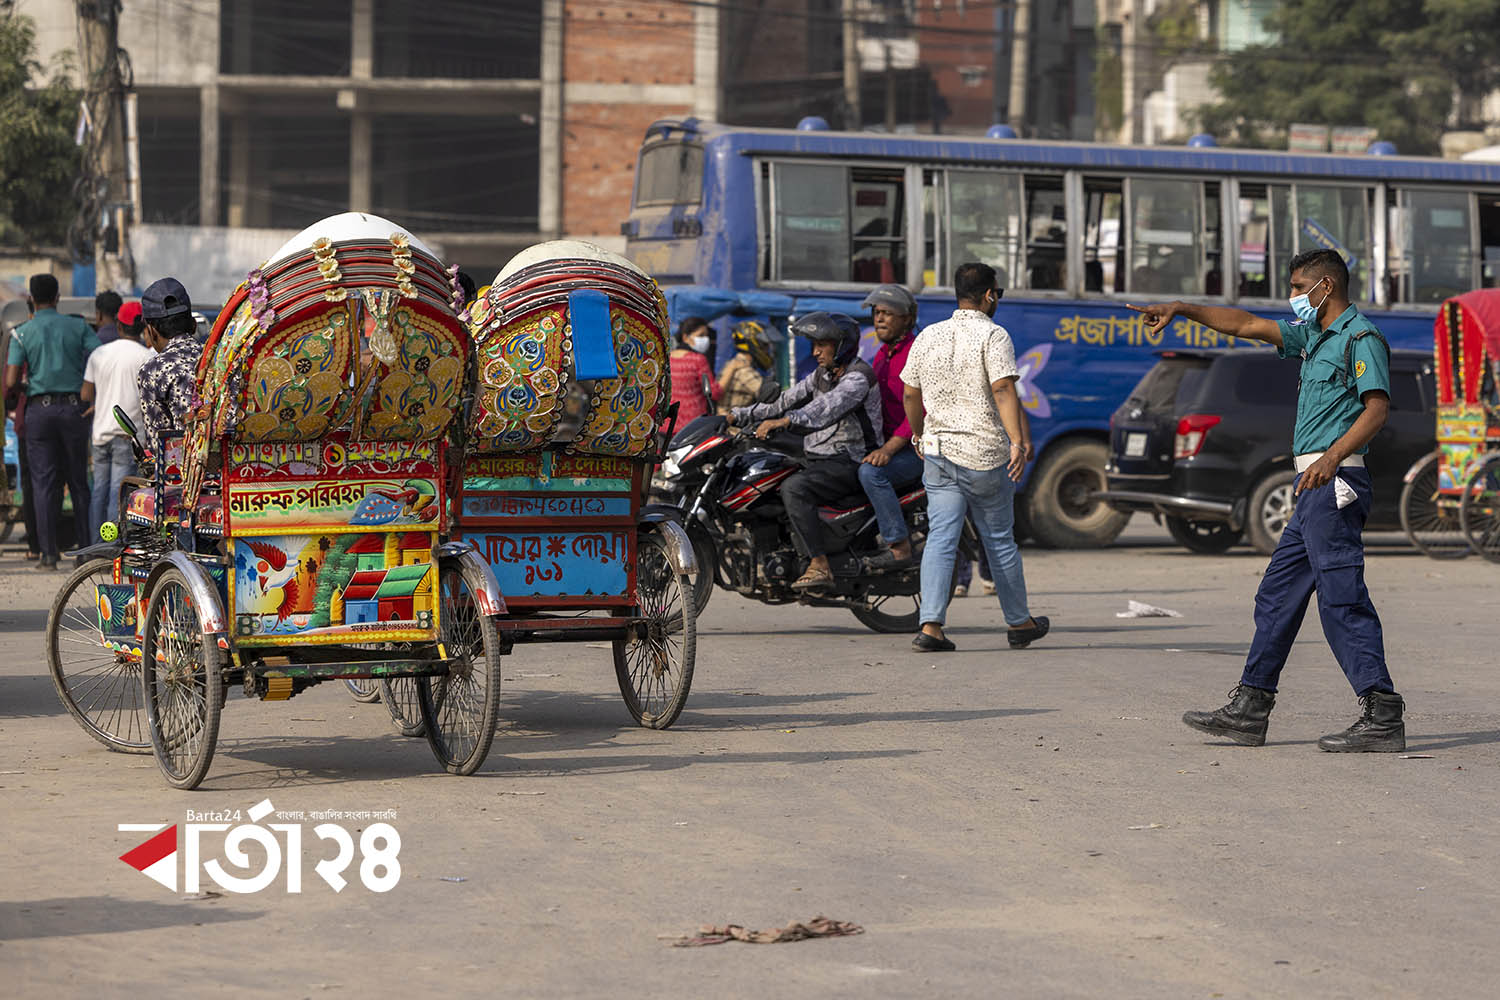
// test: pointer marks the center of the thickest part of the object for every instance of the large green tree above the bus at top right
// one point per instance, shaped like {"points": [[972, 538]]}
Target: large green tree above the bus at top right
{"points": [[1391, 65]]}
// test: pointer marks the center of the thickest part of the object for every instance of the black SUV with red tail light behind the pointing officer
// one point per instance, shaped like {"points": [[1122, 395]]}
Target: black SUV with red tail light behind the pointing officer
{"points": [[1205, 442]]}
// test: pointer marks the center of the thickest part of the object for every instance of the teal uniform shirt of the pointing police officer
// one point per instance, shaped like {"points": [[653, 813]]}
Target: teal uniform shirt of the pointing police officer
{"points": [[1327, 406]]}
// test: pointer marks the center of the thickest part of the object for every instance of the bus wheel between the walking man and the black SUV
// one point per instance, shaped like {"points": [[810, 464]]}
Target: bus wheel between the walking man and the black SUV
{"points": [[1061, 509]]}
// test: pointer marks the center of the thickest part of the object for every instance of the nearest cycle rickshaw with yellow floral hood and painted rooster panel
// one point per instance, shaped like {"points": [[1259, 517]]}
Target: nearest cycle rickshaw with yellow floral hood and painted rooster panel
{"points": [[296, 533]]}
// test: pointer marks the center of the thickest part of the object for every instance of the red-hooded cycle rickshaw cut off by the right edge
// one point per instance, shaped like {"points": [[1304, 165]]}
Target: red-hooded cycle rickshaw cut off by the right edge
{"points": [[1448, 506]]}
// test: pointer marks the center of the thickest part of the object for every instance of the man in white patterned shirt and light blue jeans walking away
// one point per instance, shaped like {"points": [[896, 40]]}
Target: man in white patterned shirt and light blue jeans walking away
{"points": [[962, 406]]}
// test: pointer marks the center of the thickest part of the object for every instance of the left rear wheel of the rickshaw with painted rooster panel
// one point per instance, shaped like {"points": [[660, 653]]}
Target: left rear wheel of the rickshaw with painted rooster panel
{"points": [[182, 675]]}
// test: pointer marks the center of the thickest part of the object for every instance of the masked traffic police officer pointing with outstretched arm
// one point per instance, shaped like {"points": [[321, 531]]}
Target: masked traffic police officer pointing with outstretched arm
{"points": [[1343, 401]]}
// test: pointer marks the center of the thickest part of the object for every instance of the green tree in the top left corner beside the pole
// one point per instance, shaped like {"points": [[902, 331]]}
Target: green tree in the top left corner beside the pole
{"points": [[38, 160]]}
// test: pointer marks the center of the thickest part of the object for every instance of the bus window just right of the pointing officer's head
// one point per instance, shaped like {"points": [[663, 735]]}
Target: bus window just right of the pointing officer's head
{"points": [[1430, 256]]}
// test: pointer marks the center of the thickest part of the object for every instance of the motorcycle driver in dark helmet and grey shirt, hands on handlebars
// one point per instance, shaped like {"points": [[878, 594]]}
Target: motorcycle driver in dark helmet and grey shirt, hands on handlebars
{"points": [[841, 406]]}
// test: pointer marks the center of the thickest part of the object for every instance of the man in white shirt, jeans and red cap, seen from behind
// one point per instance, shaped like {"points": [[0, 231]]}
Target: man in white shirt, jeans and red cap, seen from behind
{"points": [[109, 383]]}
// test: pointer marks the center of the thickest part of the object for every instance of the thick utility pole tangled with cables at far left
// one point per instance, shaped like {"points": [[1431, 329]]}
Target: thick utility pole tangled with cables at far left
{"points": [[107, 200]]}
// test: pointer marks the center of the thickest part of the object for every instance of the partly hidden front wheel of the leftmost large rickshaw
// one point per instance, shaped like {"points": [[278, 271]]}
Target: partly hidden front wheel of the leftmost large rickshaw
{"points": [[100, 687]]}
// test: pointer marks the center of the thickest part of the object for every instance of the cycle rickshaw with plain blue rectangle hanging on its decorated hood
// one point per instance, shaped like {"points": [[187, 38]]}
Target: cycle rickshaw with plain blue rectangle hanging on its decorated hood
{"points": [[569, 416]]}
